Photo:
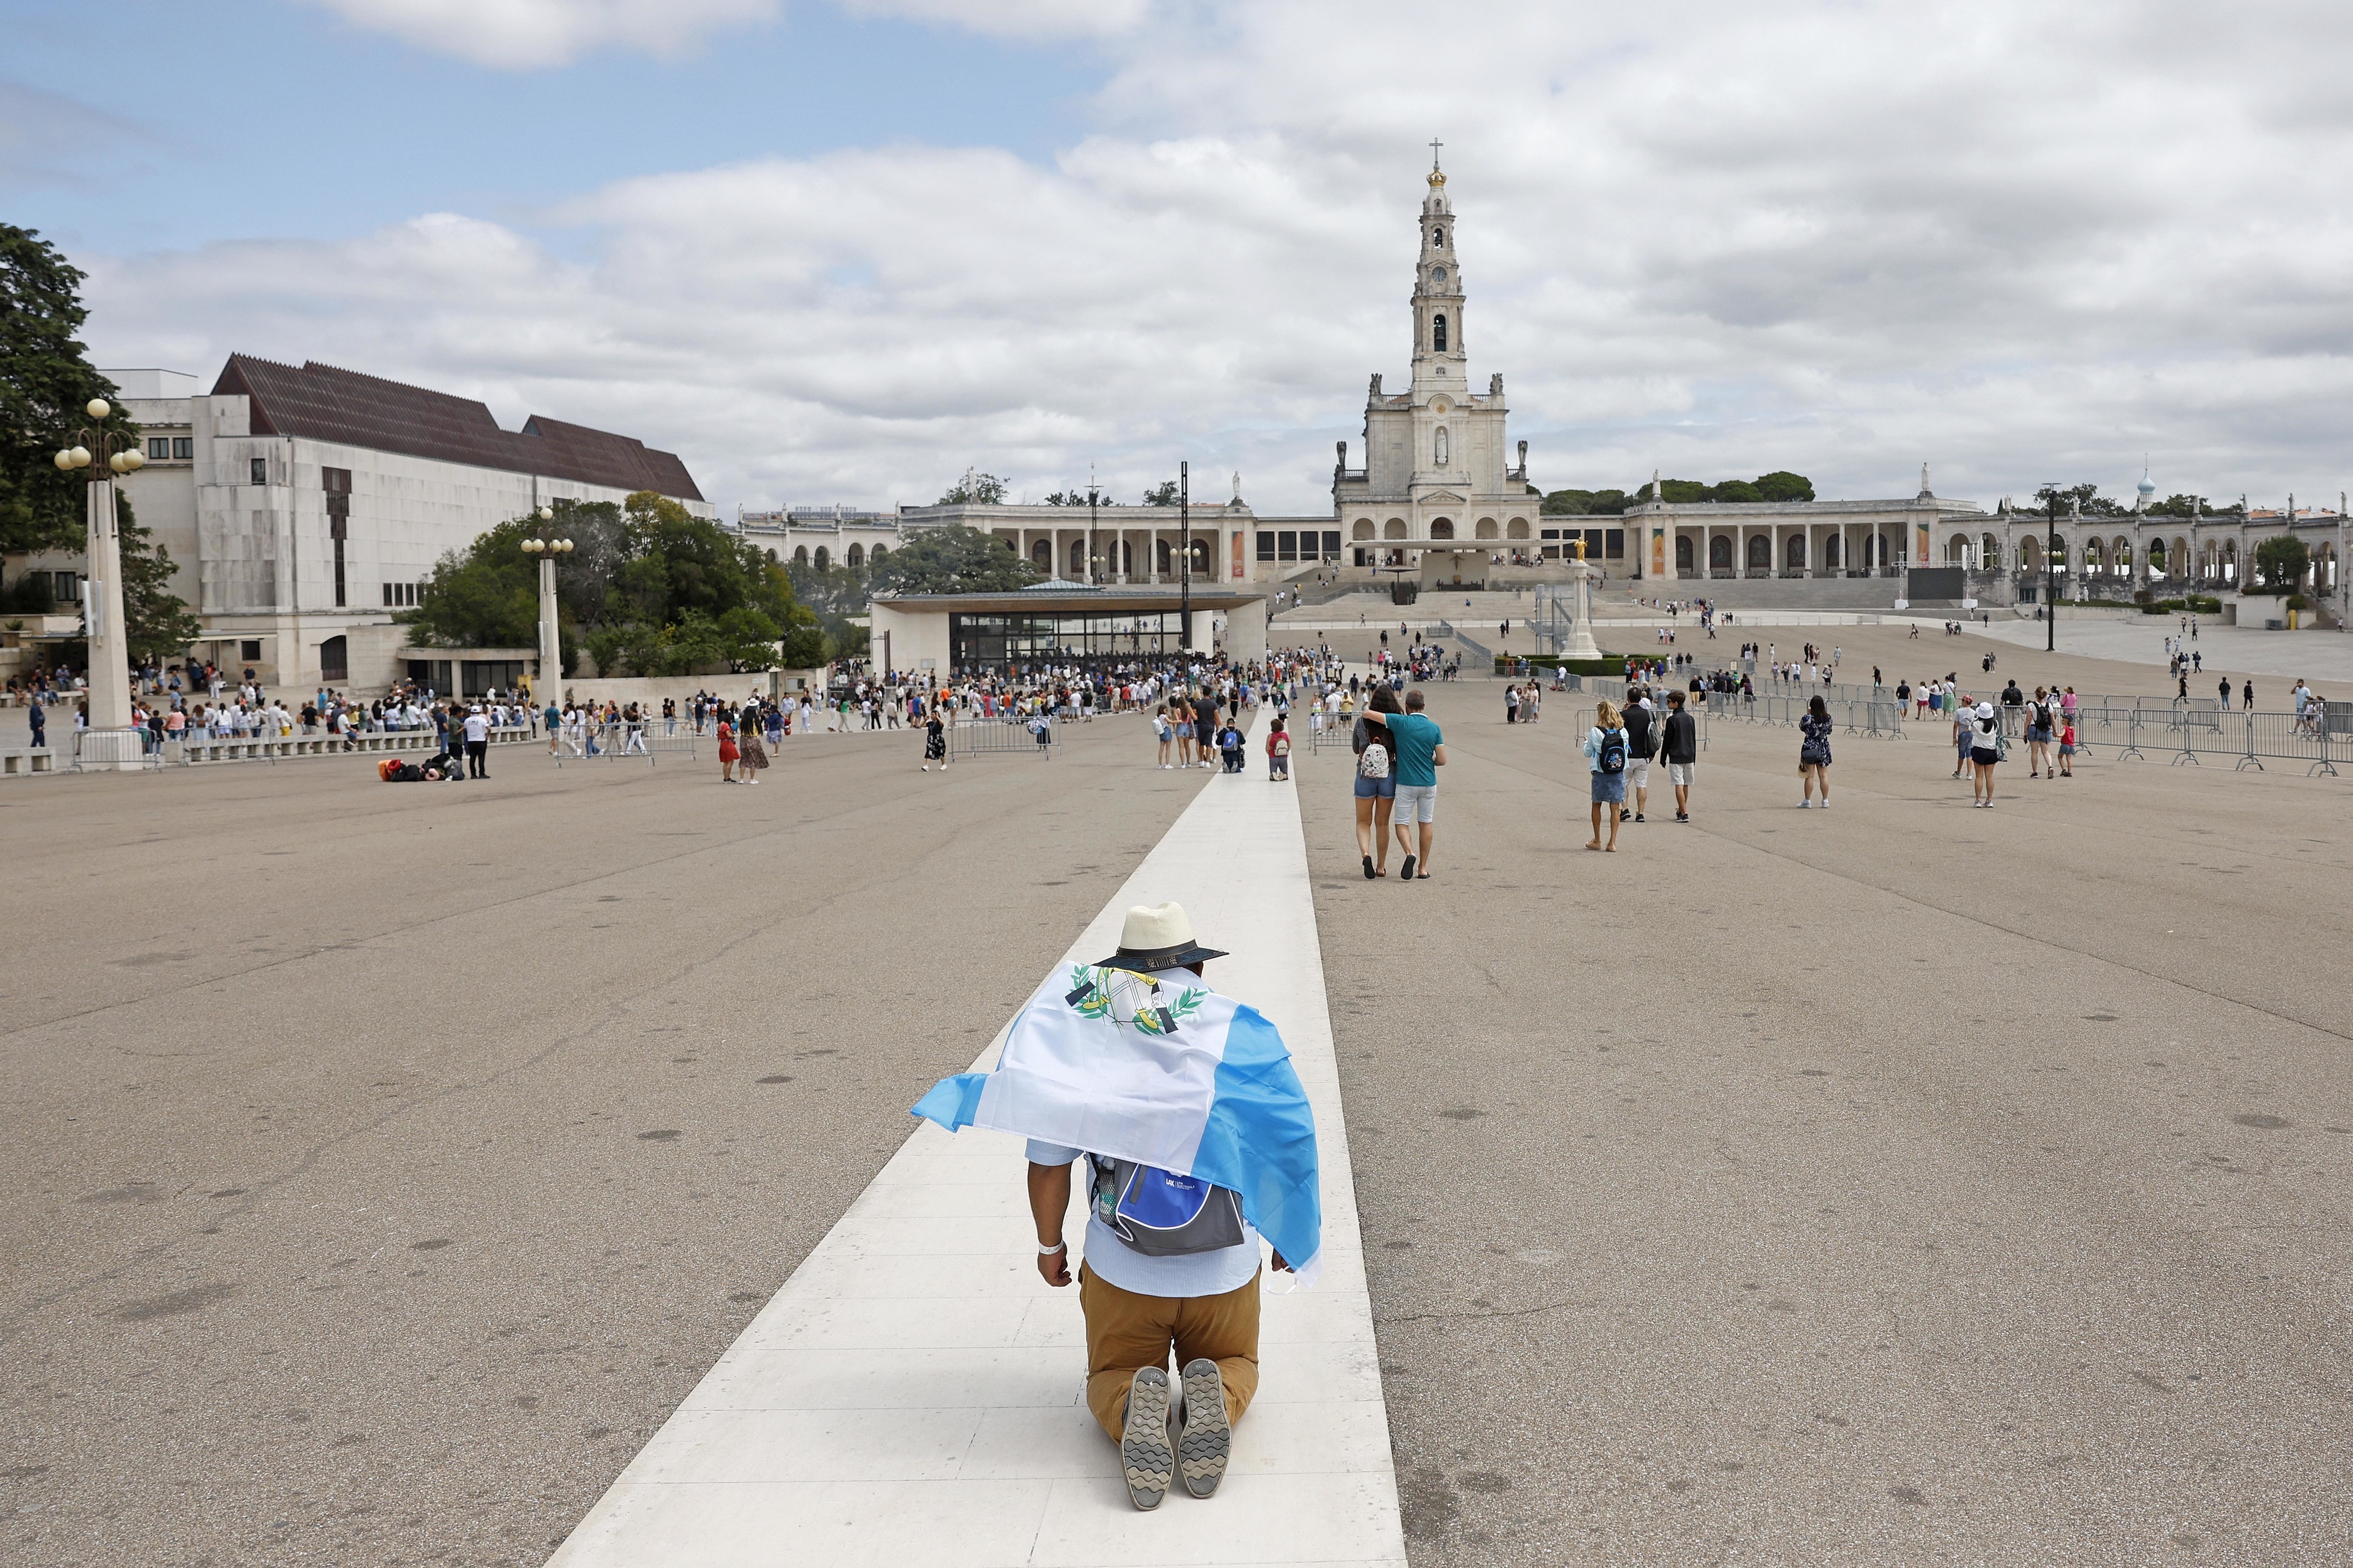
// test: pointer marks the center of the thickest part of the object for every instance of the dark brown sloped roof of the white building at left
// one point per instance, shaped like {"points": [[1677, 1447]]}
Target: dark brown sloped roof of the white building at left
{"points": [[326, 404]]}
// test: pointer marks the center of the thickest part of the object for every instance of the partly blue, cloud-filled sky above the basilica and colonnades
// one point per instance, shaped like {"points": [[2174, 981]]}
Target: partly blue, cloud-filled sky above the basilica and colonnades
{"points": [[846, 251]]}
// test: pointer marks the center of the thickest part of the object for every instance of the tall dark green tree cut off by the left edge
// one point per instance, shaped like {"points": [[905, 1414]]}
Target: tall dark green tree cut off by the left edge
{"points": [[46, 383]]}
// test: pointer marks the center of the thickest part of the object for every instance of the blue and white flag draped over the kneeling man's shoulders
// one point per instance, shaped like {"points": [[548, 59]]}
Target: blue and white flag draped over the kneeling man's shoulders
{"points": [[1161, 1072]]}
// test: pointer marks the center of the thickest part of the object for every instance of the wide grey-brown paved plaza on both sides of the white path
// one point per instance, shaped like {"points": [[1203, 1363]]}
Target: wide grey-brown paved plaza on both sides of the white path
{"points": [[1879, 1185]]}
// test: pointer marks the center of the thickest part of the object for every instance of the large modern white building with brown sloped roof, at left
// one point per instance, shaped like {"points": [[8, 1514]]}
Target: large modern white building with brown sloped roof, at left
{"points": [[307, 505]]}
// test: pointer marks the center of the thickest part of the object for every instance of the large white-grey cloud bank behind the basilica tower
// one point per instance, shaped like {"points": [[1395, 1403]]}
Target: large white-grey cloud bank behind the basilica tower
{"points": [[1700, 237]]}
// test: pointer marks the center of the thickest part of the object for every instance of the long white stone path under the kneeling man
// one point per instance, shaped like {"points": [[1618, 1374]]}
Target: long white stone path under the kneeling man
{"points": [[912, 1397]]}
